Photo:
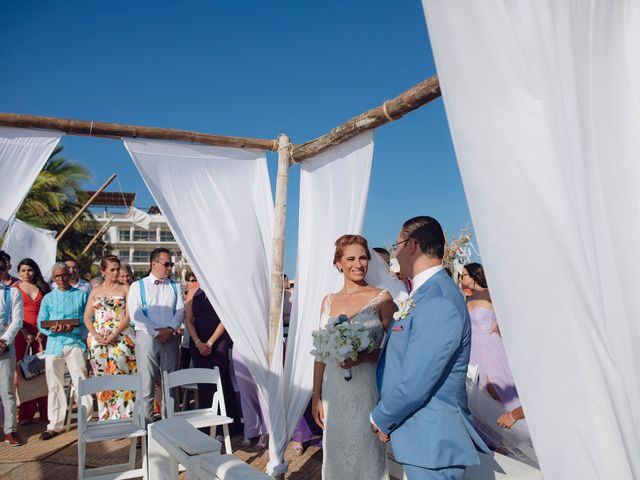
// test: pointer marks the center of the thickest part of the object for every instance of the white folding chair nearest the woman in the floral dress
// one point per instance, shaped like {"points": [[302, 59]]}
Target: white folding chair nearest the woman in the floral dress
{"points": [[99, 431]]}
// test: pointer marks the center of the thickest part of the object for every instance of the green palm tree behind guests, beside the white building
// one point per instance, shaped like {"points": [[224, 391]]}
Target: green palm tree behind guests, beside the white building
{"points": [[54, 200]]}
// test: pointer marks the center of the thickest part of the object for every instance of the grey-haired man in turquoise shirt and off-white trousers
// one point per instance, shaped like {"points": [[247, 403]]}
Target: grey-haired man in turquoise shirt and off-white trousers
{"points": [[65, 345]]}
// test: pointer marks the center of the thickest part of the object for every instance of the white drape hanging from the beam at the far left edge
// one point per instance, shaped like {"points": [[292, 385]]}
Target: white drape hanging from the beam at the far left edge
{"points": [[23, 153]]}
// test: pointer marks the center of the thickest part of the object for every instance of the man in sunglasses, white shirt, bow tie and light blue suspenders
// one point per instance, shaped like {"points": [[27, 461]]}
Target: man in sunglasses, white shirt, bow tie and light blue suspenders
{"points": [[156, 309]]}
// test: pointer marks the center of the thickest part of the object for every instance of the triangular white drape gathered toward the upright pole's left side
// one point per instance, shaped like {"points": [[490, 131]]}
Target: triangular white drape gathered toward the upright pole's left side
{"points": [[219, 206]]}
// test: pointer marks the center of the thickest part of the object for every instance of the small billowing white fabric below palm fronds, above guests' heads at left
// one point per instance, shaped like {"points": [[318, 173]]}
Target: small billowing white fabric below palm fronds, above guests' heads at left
{"points": [[25, 241]]}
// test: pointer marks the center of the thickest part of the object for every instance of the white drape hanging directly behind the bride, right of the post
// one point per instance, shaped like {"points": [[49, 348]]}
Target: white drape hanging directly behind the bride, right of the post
{"points": [[334, 186]]}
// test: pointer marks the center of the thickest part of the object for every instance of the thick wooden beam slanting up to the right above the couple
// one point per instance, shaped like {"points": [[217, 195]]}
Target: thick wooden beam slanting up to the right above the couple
{"points": [[391, 110]]}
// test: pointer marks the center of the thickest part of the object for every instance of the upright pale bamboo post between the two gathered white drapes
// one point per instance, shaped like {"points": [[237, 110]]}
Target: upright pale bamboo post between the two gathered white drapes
{"points": [[277, 248]]}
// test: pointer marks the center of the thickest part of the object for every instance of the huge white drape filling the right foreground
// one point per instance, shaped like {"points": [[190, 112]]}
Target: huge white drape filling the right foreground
{"points": [[543, 102]]}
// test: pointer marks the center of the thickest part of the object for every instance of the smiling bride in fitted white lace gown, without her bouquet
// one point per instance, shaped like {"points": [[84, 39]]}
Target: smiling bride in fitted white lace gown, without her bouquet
{"points": [[341, 408]]}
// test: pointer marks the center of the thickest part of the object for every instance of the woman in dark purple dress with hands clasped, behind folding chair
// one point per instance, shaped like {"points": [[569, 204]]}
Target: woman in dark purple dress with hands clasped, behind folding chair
{"points": [[210, 344]]}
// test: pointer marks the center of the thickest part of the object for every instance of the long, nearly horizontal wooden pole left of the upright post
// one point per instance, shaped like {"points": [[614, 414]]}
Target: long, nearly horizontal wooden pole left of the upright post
{"points": [[116, 131]]}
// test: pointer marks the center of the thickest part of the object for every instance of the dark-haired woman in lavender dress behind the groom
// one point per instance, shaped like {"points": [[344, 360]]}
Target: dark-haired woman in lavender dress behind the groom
{"points": [[487, 349]]}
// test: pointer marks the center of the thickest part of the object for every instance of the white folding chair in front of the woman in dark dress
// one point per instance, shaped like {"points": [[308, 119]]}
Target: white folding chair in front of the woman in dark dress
{"points": [[203, 417]]}
